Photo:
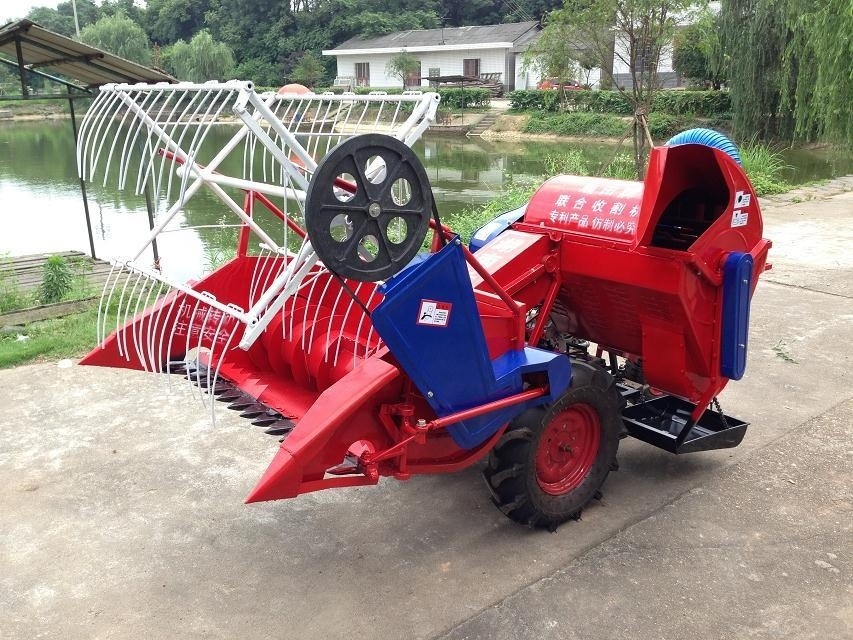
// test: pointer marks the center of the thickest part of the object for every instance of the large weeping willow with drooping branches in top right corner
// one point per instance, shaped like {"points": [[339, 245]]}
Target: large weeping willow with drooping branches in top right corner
{"points": [[790, 68]]}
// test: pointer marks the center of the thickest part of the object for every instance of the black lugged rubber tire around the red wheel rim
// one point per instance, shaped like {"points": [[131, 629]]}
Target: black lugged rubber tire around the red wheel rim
{"points": [[511, 472]]}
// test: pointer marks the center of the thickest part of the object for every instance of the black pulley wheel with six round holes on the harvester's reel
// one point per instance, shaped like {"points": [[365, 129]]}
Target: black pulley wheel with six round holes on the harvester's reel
{"points": [[368, 206]]}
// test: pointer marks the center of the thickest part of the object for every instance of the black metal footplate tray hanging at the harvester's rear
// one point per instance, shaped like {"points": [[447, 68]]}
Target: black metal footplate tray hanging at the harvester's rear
{"points": [[664, 421]]}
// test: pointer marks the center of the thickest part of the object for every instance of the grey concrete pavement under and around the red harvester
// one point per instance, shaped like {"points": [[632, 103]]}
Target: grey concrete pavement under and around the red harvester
{"points": [[121, 510]]}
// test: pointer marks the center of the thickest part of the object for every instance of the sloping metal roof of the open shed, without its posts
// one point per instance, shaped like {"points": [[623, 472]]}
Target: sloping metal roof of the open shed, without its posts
{"points": [[86, 65]]}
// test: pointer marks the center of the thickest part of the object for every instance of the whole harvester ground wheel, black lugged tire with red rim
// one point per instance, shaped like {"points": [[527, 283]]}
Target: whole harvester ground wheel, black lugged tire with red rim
{"points": [[552, 460]]}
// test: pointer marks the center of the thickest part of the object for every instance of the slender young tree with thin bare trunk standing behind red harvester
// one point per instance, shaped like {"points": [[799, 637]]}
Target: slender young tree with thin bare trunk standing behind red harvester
{"points": [[632, 33]]}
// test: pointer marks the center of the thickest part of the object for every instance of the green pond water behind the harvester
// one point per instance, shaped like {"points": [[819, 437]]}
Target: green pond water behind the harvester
{"points": [[41, 207]]}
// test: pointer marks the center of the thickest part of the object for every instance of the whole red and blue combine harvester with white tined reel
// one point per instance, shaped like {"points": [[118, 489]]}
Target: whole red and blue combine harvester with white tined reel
{"points": [[602, 308]]}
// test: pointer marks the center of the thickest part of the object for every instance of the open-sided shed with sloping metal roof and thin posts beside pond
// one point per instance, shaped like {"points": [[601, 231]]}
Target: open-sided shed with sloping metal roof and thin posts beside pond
{"points": [[78, 67]]}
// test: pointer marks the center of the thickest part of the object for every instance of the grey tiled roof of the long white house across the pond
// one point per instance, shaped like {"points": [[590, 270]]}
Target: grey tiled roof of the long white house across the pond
{"points": [[512, 32]]}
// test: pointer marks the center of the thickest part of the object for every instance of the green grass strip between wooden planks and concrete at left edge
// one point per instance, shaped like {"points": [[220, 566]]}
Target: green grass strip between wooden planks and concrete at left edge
{"points": [[68, 337]]}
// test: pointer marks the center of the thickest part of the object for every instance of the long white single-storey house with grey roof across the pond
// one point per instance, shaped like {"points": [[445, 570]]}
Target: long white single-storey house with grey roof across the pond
{"points": [[473, 51]]}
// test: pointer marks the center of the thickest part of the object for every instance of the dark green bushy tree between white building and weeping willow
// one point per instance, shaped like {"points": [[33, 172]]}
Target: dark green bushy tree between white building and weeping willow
{"points": [[698, 51]]}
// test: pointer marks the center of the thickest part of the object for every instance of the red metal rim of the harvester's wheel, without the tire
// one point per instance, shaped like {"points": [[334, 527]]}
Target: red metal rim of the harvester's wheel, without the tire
{"points": [[567, 449]]}
